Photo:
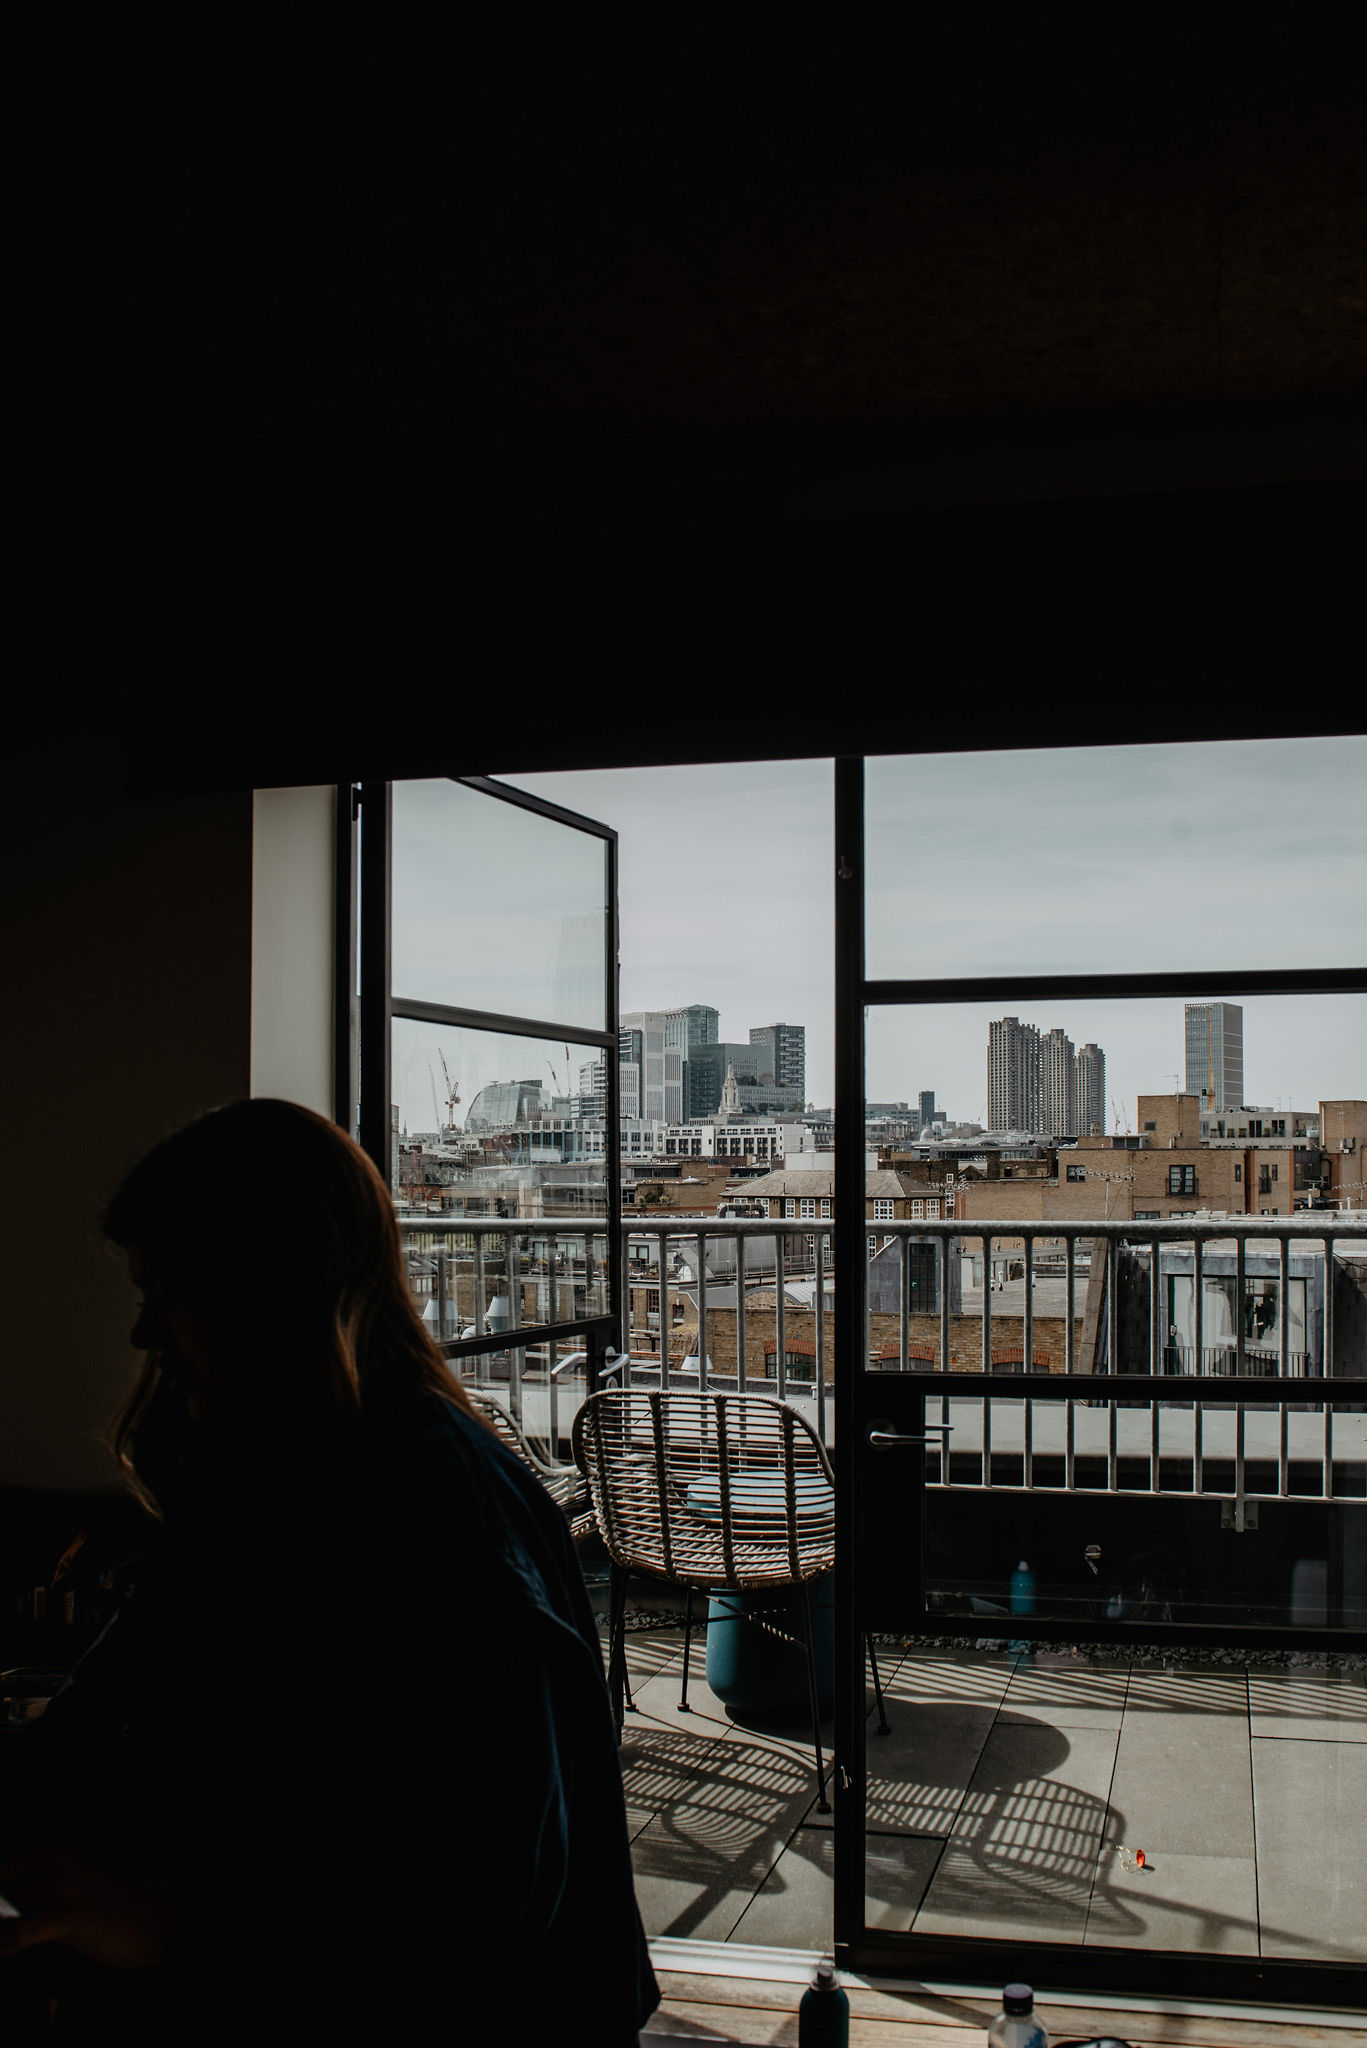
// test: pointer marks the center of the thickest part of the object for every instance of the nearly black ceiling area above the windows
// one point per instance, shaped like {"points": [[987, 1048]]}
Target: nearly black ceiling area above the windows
{"points": [[378, 384]]}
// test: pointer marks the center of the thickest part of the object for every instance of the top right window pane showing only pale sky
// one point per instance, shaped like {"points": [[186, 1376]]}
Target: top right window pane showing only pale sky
{"points": [[1149, 859]]}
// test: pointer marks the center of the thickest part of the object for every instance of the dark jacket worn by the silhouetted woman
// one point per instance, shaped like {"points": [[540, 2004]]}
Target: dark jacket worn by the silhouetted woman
{"points": [[370, 1736]]}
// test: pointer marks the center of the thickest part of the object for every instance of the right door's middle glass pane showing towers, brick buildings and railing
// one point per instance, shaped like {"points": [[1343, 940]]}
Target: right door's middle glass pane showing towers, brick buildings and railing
{"points": [[1052, 1119]]}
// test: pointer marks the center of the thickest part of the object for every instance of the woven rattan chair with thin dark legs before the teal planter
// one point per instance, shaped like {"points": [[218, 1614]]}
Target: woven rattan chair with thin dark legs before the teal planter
{"points": [[710, 1492]]}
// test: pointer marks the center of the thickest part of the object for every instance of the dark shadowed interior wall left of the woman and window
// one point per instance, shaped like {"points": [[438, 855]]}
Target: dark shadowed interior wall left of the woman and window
{"points": [[128, 1013]]}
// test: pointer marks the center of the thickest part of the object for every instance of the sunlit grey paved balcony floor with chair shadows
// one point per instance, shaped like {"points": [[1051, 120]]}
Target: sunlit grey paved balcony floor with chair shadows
{"points": [[1009, 1801]]}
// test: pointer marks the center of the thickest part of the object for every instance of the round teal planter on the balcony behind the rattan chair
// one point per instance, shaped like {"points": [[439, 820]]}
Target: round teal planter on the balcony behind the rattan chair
{"points": [[749, 1664]]}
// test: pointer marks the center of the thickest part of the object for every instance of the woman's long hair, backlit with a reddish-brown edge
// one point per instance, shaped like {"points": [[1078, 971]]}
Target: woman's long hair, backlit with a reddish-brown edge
{"points": [[278, 1232]]}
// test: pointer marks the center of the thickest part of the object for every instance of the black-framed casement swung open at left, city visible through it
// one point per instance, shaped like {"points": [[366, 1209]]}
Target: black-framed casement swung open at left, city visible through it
{"points": [[489, 1060]]}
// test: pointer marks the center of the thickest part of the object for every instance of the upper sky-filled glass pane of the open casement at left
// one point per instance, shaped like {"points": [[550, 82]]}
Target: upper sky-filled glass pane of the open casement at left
{"points": [[497, 908]]}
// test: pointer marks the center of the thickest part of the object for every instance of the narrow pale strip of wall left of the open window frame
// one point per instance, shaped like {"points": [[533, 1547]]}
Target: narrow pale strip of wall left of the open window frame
{"points": [[294, 888]]}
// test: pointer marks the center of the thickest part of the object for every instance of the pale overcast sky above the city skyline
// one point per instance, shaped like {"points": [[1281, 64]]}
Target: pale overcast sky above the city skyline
{"points": [[1247, 855]]}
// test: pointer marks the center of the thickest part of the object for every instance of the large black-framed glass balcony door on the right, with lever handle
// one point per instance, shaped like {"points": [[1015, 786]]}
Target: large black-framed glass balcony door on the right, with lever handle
{"points": [[1046, 1721]]}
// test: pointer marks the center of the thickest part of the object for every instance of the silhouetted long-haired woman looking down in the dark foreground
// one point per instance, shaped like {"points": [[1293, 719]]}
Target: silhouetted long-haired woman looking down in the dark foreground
{"points": [[343, 1762]]}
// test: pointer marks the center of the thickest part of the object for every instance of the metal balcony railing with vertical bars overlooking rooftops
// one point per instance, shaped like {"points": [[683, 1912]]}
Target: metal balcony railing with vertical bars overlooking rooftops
{"points": [[1270, 1439]]}
